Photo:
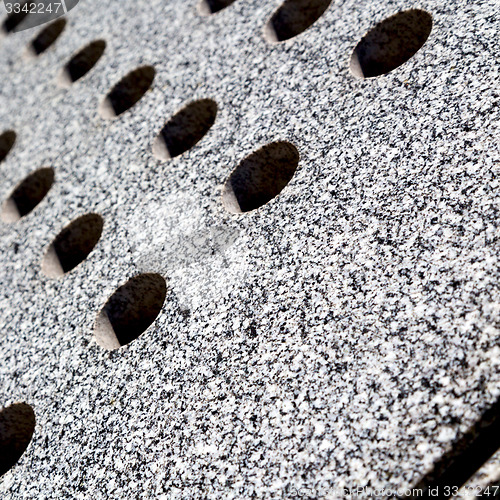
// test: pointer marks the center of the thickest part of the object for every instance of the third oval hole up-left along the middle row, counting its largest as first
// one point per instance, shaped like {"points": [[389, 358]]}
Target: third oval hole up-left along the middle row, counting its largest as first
{"points": [[127, 92]]}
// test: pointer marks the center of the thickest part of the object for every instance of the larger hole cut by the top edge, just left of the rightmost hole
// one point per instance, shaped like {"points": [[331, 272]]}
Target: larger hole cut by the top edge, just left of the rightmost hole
{"points": [[294, 17]]}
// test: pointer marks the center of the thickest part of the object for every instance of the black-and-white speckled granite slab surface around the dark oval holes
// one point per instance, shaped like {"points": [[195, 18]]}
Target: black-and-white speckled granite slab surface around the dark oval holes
{"points": [[345, 334]]}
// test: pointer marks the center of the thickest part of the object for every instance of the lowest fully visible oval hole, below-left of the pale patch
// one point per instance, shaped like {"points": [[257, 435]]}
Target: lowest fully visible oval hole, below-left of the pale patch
{"points": [[130, 311]]}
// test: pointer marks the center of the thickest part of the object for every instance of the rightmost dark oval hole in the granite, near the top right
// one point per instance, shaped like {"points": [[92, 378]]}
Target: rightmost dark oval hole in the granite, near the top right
{"points": [[391, 43]]}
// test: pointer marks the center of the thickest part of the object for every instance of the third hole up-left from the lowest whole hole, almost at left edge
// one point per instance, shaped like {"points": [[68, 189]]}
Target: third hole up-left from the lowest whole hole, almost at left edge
{"points": [[28, 195]]}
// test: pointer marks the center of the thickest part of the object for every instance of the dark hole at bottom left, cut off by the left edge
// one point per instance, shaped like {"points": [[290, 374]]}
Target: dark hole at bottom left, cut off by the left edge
{"points": [[17, 424]]}
